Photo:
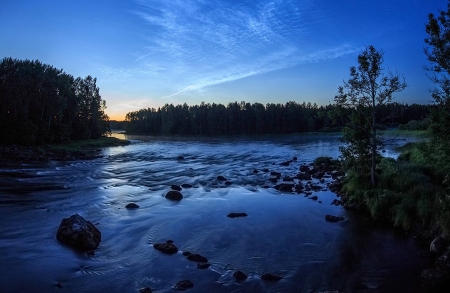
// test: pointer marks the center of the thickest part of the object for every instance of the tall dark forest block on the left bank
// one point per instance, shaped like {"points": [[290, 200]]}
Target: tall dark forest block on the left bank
{"points": [[42, 104]]}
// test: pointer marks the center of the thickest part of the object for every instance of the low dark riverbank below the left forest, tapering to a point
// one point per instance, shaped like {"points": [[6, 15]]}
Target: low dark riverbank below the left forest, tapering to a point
{"points": [[76, 150]]}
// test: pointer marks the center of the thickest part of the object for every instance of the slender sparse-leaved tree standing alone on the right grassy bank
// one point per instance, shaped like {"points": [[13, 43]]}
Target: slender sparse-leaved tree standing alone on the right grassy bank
{"points": [[367, 90]]}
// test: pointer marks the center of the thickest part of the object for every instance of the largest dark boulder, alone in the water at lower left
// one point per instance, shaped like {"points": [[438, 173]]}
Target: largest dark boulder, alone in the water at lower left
{"points": [[79, 233]]}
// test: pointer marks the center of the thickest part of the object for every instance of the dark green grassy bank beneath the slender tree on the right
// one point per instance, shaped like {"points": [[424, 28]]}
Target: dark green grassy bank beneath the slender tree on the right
{"points": [[411, 192]]}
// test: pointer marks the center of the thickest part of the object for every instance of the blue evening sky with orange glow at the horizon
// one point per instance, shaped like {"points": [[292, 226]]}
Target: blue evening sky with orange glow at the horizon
{"points": [[146, 53]]}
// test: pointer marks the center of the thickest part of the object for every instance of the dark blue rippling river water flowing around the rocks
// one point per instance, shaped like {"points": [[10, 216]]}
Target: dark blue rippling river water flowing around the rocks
{"points": [[285, 234]]}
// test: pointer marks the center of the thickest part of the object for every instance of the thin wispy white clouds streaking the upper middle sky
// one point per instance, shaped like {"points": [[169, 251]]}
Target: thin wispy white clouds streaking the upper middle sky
{"points": [[193, 44]]}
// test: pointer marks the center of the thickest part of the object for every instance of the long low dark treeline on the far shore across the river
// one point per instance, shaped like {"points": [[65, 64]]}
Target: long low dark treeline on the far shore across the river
{"points": [[246, 118]]}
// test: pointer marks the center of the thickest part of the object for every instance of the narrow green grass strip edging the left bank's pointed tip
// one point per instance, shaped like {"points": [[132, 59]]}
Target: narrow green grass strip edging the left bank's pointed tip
{"points": [[90, 144]]}
